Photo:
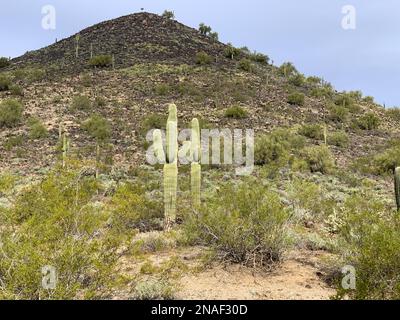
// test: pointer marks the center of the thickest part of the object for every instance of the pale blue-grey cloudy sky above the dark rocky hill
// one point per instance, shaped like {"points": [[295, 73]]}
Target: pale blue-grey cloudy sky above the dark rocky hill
{"points": [[308, 32]]}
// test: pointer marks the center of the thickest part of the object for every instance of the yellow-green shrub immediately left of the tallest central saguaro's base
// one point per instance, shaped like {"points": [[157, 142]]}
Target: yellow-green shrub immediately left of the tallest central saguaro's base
{"points": [[132, 209]]}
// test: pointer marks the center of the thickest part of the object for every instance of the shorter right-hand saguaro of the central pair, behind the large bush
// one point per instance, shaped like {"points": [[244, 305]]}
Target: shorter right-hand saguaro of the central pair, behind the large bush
{"points": [[195, 151]]}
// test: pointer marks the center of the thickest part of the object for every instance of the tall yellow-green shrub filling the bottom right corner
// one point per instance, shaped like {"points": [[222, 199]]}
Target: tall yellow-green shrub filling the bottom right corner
{"points": [[372, 246]]}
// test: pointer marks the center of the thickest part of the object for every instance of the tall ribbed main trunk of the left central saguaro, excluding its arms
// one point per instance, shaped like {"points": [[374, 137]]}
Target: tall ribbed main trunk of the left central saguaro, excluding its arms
{"points": [[171, 169]]}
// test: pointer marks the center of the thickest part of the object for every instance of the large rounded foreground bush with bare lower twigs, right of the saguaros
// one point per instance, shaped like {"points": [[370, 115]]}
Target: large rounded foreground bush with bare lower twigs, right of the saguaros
{"points": [[245, 225]]}
